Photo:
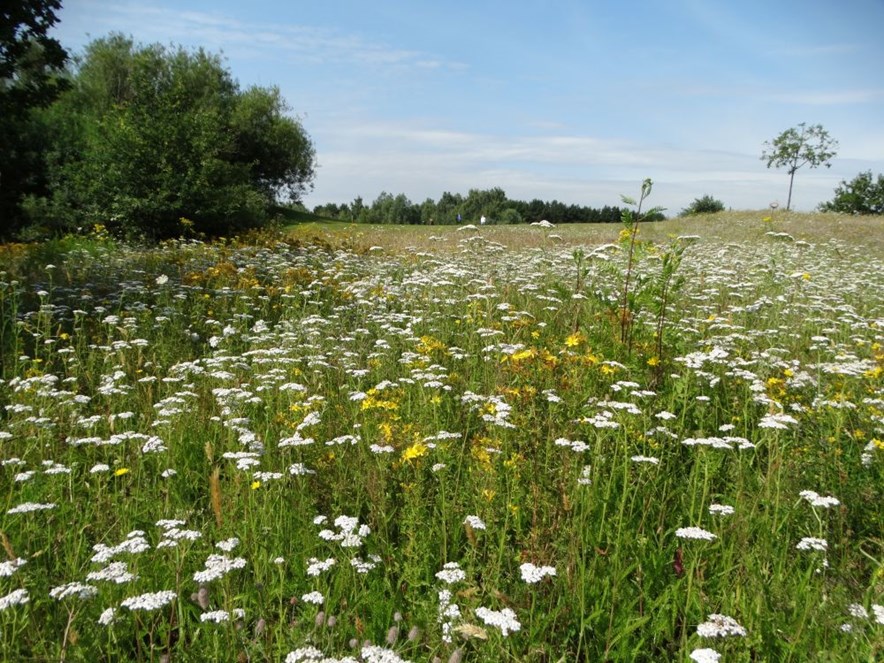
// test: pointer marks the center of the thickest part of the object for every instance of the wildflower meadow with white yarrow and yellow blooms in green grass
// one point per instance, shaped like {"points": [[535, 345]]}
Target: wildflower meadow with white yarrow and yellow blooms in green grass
{"points": [[345, 443]]}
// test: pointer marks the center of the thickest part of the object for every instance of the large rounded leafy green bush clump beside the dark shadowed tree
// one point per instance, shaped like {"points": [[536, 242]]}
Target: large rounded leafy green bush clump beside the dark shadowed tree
{"points": [[159, 142]]}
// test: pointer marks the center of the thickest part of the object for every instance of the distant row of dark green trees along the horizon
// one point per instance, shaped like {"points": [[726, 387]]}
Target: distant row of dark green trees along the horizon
{"points": [[454, 208]]}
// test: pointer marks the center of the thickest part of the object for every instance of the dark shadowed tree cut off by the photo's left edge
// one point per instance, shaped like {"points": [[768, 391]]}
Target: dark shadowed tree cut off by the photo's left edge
{"points": [[31, 68]]}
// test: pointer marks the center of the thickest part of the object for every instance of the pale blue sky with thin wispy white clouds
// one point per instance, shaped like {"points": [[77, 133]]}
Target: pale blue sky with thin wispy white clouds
{"points": [[568, 100]]}
